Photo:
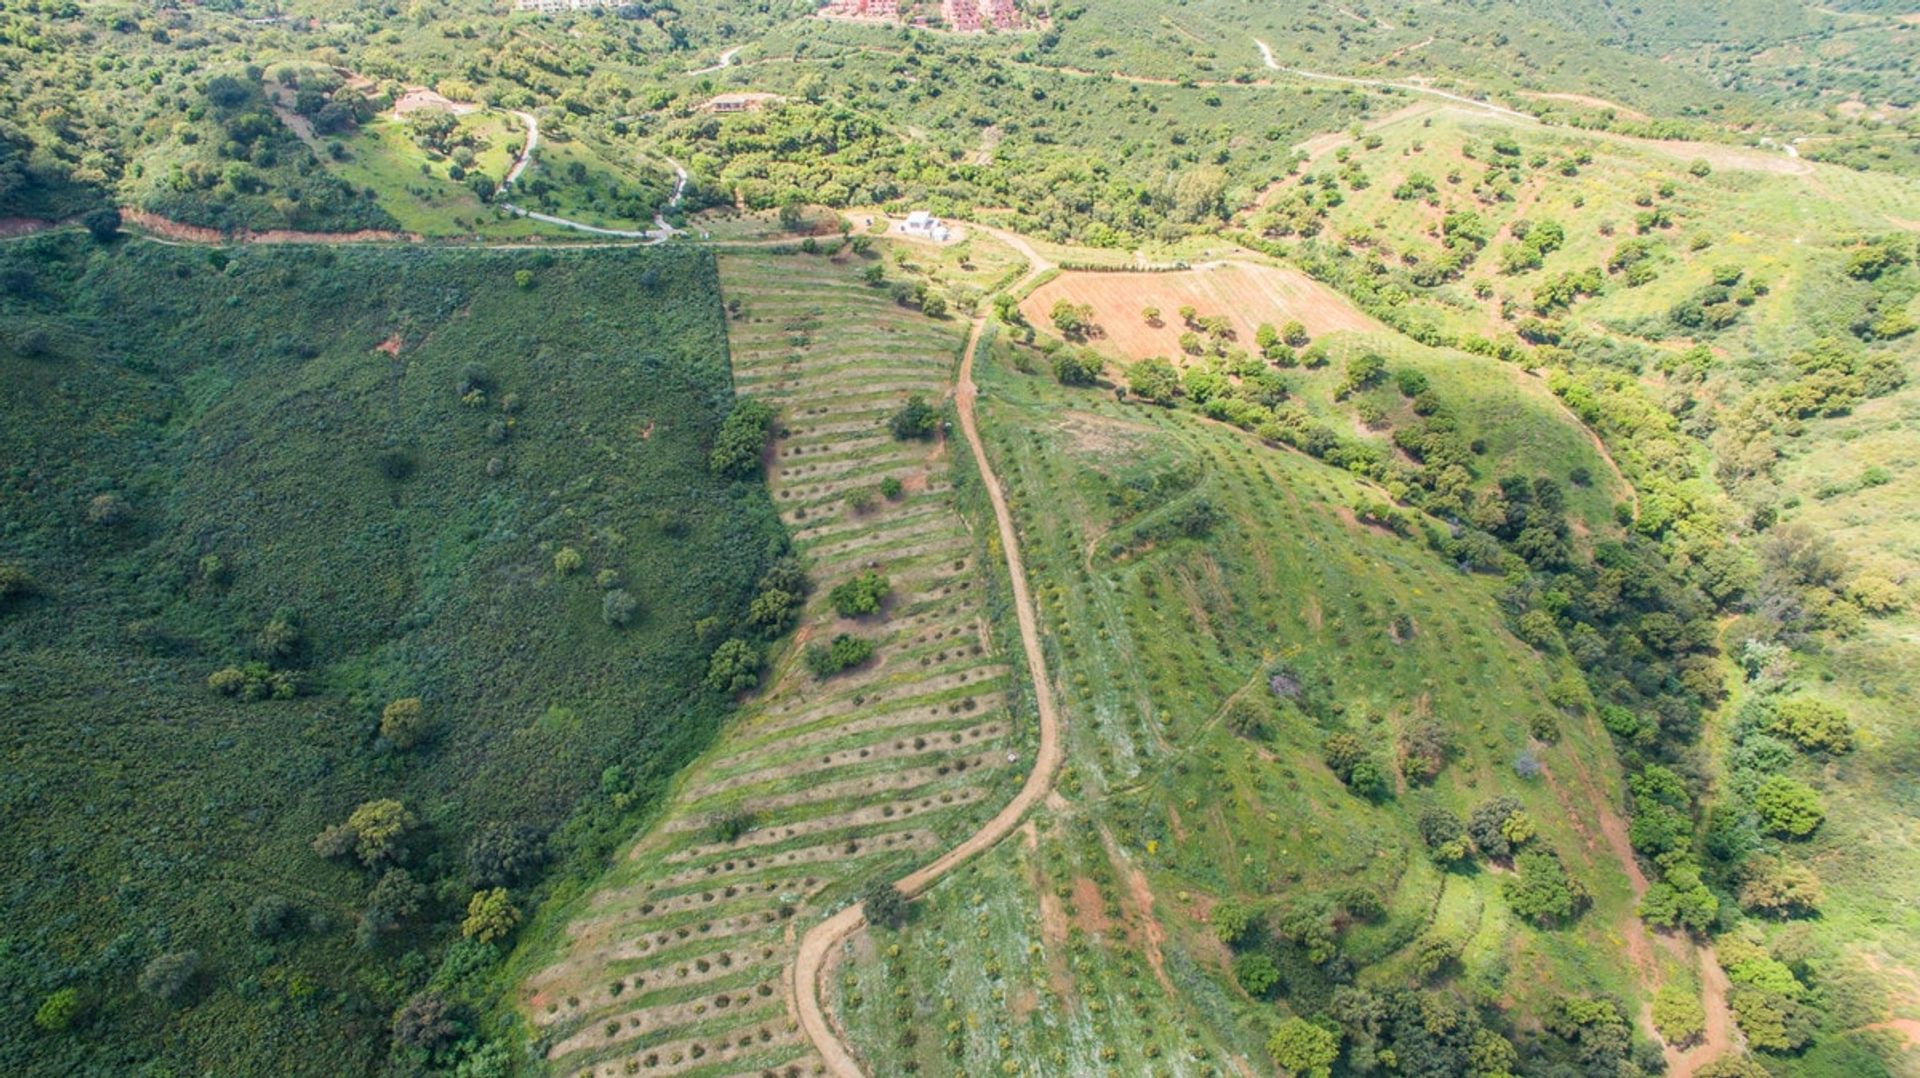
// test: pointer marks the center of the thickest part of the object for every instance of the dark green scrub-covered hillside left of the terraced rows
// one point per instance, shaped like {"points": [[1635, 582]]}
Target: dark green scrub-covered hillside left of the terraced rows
{"points": [[356, 468]]}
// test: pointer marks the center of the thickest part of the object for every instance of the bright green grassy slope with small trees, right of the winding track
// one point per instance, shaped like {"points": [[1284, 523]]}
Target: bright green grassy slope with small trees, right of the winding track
{"points": [[1088, 948]]}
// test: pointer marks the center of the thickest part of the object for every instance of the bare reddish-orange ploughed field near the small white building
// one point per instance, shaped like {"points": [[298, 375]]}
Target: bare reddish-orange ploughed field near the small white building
{"points": [[1245, 293]]}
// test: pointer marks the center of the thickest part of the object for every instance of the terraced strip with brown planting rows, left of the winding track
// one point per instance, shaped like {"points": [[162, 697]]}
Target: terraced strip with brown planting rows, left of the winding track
{"points": [[675, 964]]}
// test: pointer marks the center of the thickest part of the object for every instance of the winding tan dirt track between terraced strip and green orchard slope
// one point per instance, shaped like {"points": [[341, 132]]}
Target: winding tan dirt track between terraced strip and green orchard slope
{"points": [[817, 946]]}
